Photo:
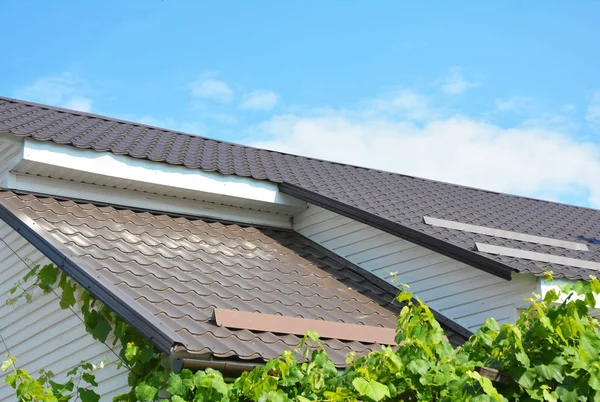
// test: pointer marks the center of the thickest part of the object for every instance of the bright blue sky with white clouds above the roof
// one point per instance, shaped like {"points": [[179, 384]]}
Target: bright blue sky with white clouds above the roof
{"points": [[500, 95]]}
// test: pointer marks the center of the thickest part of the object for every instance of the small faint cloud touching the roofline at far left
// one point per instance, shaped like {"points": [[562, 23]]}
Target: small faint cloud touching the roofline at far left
{"points": [[63, 90]]}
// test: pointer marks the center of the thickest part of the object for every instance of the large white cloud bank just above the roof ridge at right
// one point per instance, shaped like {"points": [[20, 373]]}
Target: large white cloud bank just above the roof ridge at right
{"points": [[530, 161]]}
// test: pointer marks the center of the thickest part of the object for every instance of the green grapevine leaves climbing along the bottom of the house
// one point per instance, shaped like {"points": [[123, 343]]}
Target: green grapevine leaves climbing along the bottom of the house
{"points": [[550, 354]]}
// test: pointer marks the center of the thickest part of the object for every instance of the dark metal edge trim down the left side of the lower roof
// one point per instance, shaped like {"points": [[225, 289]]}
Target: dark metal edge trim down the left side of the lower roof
{"points": [[148, 329]]}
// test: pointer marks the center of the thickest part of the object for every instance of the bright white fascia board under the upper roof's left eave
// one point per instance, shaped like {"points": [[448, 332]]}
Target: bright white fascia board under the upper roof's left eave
{"points": [[161, 174]]}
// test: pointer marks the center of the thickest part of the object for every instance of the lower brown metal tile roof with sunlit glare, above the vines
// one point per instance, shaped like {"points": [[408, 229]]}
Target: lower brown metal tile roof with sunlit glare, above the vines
{"points": [[166, 275]]}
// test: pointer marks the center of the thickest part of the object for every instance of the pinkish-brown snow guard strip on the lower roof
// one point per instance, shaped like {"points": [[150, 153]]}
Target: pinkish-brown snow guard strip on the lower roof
{"points": [[299, 326]]}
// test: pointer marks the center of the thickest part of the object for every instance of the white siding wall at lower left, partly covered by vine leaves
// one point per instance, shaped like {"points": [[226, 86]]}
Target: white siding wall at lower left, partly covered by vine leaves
{"points": [[42, 335]]}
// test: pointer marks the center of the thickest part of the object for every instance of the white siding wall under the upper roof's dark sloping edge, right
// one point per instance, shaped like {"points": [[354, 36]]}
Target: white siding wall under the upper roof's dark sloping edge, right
{"points": [[459, 291]]}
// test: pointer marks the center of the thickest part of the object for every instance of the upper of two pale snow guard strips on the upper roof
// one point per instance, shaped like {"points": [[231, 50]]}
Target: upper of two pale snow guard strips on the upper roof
{"points": [[505, 234]]}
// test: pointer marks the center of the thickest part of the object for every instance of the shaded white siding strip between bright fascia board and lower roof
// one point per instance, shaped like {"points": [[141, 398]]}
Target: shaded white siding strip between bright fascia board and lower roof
{"points": [[141, 200]]}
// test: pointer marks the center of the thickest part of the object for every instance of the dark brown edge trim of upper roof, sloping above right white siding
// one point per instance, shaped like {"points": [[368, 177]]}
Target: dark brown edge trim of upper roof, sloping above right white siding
{"points": [[458, 253]]}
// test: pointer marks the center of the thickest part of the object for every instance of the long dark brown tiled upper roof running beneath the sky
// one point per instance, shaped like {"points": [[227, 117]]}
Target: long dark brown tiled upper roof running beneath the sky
{"points": [[392, 202]]}
